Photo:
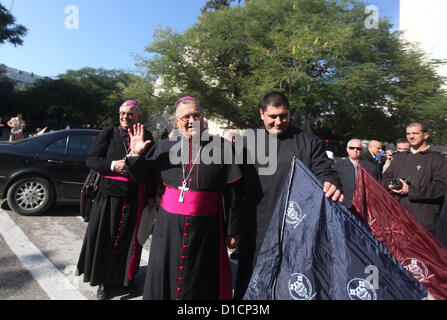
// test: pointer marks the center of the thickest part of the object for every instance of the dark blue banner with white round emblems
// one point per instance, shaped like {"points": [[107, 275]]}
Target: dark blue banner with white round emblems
{"points": [[317, 249]]}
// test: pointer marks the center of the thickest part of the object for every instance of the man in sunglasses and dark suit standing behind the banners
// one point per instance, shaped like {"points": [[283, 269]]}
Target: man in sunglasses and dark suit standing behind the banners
{"points": [[346, 169]]}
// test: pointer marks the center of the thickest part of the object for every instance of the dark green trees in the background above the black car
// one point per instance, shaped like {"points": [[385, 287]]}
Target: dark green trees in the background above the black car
{"points": [[79, 97]]}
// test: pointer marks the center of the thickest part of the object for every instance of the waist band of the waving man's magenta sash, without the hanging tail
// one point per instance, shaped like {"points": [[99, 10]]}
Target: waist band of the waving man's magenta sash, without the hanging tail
{"points": [[195, 203]]}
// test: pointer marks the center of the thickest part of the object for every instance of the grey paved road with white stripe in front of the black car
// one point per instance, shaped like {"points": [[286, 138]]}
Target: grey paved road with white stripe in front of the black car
{"points": [[38, 257]]}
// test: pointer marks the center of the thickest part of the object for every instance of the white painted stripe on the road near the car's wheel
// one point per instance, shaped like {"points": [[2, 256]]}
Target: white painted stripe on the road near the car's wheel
{"points": [[52, 281]]}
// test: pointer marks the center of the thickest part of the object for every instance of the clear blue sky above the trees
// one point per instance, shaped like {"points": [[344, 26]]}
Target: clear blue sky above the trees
{"points": [[110, 32]]}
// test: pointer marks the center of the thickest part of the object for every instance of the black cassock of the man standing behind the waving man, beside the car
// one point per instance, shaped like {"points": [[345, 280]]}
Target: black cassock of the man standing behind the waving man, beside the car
{"points": [[110, 253]]}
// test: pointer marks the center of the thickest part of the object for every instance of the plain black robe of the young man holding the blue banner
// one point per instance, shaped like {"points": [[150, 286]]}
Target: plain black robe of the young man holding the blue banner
{"points": [[263, 191]]}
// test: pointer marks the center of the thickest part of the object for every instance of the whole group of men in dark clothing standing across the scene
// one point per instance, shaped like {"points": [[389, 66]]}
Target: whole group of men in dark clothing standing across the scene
{"points": [[205, 208]]}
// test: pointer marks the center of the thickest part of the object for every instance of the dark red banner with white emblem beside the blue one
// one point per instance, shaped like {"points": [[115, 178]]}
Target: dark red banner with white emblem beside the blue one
{"points": [[413, 246]]}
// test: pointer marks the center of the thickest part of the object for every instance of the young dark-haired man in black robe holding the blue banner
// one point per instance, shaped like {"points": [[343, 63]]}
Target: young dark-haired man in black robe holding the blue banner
{"points": [[264, 181]]}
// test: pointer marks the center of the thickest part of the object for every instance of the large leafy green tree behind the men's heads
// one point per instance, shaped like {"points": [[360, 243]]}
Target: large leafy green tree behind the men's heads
{"points": [[350, 80]]}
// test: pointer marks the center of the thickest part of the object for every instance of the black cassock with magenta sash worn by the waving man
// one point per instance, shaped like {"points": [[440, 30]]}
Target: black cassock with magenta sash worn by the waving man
{"points": [[186, 255]]}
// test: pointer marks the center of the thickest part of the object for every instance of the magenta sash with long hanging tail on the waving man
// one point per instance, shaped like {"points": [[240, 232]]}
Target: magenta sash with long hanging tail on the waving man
{"points": [[201, 204]]}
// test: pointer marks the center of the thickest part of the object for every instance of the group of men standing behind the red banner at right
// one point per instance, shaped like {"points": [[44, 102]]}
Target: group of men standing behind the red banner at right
{"points": [[414, 174]]}
